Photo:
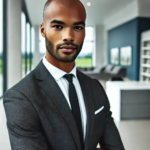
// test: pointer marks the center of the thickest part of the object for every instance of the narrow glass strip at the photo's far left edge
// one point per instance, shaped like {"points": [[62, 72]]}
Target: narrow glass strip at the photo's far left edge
{"points": [[1, 48]]}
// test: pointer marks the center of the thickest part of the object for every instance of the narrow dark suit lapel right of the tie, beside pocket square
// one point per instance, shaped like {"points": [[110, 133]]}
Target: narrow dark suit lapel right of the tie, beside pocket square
{"points": [[89, 108]]}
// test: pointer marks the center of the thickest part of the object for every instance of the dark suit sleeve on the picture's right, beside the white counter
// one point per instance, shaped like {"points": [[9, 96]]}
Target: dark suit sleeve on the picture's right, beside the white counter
{"points": [[110, 138]]}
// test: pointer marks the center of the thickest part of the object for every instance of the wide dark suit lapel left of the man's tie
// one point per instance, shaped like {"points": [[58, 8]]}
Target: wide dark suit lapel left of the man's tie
{"points": [[52, 89]]}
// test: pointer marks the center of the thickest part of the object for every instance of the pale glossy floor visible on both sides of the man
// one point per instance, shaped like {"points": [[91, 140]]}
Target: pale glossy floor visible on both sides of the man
{"points": [[135, 134]]}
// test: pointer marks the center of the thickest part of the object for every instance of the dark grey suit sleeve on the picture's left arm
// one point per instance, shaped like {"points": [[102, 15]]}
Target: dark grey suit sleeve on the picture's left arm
{"points": [[23, 123]]}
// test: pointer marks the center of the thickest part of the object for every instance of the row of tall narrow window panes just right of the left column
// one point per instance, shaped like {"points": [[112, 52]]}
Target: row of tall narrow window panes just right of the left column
{"points": [[27, 42]]}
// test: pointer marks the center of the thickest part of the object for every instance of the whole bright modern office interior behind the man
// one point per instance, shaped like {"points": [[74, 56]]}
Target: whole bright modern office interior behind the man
{"points": [[116, 51]]}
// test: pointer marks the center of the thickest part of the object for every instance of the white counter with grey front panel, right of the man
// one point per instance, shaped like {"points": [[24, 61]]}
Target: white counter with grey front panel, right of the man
{"points": [[129, 99]]}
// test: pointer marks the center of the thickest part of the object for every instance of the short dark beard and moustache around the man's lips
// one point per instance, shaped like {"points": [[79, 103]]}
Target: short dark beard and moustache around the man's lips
{"points": [[67, 57]]}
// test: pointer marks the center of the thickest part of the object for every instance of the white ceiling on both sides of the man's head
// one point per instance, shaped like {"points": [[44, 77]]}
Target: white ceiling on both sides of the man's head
{"points": [[97, 13]]}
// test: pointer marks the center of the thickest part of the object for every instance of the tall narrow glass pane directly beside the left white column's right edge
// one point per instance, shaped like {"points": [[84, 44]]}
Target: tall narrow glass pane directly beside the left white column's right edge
{"points": [[23, 49]]}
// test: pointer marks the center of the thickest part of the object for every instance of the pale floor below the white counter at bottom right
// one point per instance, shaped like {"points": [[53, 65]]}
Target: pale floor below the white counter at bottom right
{"points": [[135, 134]]}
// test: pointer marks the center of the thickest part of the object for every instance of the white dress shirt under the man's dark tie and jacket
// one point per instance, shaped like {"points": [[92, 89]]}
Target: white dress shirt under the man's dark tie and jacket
{"points": [[64, 86]]}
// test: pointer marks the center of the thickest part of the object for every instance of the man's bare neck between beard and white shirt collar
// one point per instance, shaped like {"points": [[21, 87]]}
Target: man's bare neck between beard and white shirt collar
{"points": [[65, 66]]}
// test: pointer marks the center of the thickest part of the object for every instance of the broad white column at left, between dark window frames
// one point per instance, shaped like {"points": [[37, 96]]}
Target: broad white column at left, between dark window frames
{"points": [[14, 42]]}
